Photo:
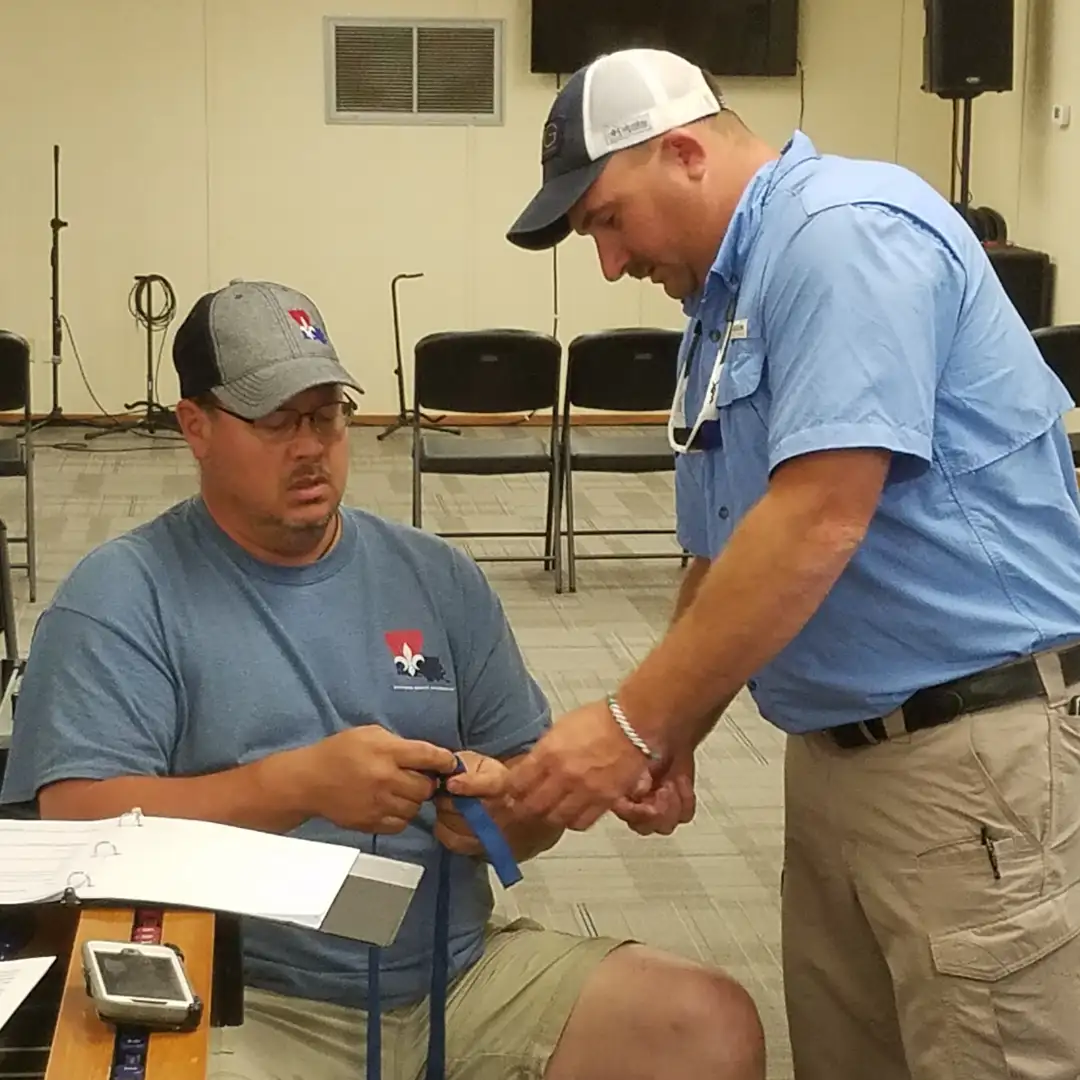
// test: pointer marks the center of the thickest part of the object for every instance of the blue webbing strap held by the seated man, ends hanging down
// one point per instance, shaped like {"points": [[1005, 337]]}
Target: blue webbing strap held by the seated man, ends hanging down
{"points": [[508, 872]]}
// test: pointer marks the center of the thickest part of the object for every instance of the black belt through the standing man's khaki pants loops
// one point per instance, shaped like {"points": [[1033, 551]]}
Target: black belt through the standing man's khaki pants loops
{"points": [[994, 688]]}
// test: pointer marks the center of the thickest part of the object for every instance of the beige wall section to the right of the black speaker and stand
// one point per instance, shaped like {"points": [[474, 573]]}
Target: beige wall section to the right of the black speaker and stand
{"points": [[1024, 166]]}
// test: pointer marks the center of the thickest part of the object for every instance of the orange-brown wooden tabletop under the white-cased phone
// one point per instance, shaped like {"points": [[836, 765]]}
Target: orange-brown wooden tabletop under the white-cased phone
{"points": [[83, 1045]]}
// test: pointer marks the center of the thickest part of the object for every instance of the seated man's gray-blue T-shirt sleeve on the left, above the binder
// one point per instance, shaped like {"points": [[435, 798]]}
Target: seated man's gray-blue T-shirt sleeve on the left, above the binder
{"points": [[93, 705]]}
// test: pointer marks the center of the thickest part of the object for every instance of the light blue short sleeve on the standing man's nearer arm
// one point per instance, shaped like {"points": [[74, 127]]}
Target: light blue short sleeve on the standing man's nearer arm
{"points": [[857, 310]]}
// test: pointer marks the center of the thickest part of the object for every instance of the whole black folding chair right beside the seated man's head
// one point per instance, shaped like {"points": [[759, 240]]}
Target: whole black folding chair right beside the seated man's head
{"points": [[491, 373]]}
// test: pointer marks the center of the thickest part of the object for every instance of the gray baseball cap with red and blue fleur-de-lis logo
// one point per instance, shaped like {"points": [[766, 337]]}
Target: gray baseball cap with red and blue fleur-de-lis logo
{"points": [[254, 345]]}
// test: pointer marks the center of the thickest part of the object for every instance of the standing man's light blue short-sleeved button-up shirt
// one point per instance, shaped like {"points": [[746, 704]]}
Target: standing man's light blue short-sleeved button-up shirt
{"points": [[869, 316]]}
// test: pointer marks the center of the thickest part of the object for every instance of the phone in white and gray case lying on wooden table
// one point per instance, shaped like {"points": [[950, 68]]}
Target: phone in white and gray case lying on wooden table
{"points": [[141, 985]]}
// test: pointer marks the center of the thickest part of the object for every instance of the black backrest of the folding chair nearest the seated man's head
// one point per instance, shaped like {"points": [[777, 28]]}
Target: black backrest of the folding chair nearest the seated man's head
{"points": [[488, 372]]}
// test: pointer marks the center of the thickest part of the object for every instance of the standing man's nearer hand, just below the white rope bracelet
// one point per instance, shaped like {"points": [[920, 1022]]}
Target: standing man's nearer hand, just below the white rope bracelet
{"points": [[579, 769]]}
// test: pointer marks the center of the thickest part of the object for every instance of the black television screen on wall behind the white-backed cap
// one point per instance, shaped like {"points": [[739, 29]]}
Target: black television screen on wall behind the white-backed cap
{"points": [[724, 37]]}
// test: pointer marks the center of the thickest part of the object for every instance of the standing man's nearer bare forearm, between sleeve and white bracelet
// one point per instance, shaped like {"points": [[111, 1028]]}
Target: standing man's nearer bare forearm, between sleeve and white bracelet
{"points": [[778, 568]]}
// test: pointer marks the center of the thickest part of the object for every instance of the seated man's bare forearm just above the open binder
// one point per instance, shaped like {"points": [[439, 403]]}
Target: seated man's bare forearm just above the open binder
{"points": [[266, 795]]}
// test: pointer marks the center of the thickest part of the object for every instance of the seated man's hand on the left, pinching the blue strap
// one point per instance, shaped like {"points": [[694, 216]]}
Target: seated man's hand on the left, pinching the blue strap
{"points": [[370, 779]]}
